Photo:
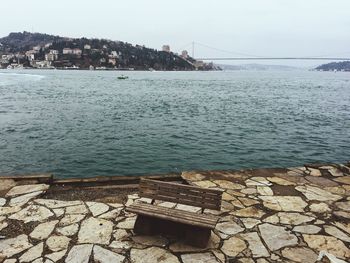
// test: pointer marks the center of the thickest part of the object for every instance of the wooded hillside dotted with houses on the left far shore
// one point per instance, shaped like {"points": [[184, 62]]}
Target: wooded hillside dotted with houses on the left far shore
{"points": [[48, 51]]}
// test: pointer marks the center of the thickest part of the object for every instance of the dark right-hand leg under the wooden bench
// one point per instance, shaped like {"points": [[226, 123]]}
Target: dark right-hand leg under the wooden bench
{"points": [[197, 236]]}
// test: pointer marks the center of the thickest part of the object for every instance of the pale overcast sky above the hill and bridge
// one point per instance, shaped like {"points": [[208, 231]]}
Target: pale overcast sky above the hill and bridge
{"points": [[253, 27]]}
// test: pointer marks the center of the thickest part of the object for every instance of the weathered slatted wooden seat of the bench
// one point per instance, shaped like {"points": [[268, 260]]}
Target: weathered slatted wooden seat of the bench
{"points": [[173, 215]]}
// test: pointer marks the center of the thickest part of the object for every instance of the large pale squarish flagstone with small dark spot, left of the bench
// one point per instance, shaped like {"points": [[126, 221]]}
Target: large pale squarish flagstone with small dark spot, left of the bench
{"points": [[95, 230]]}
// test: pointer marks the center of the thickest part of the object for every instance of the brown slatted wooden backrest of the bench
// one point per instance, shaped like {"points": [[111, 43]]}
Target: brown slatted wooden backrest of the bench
{"points": [[180, 193]]}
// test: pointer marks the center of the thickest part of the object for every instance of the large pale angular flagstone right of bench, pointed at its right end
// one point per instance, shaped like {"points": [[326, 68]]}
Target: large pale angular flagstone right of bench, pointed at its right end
{"points": [[276, 237]]}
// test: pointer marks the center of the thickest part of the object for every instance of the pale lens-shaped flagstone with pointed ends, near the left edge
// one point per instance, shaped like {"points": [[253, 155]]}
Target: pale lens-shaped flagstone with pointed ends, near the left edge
{"points": [[32, 213]]}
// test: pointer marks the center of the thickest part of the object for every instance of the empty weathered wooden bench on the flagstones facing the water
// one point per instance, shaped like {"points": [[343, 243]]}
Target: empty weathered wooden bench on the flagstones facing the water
{"points": [[154, 219]]}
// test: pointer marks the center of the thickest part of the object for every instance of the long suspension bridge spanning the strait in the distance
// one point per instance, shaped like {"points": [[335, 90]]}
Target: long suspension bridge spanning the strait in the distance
{"points": [[230, 55]]}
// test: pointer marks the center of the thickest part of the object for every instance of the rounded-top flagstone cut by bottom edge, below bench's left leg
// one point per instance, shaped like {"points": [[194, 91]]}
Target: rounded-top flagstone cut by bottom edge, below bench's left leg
{"points": [[152, 255]]}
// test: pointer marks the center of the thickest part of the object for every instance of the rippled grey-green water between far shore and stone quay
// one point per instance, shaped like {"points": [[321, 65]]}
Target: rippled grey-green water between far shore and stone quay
{"points": [[89, 123]]}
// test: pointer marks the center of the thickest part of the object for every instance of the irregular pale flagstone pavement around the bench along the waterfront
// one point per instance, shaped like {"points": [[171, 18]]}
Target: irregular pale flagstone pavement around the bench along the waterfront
{"points": [[267, 215]]}
